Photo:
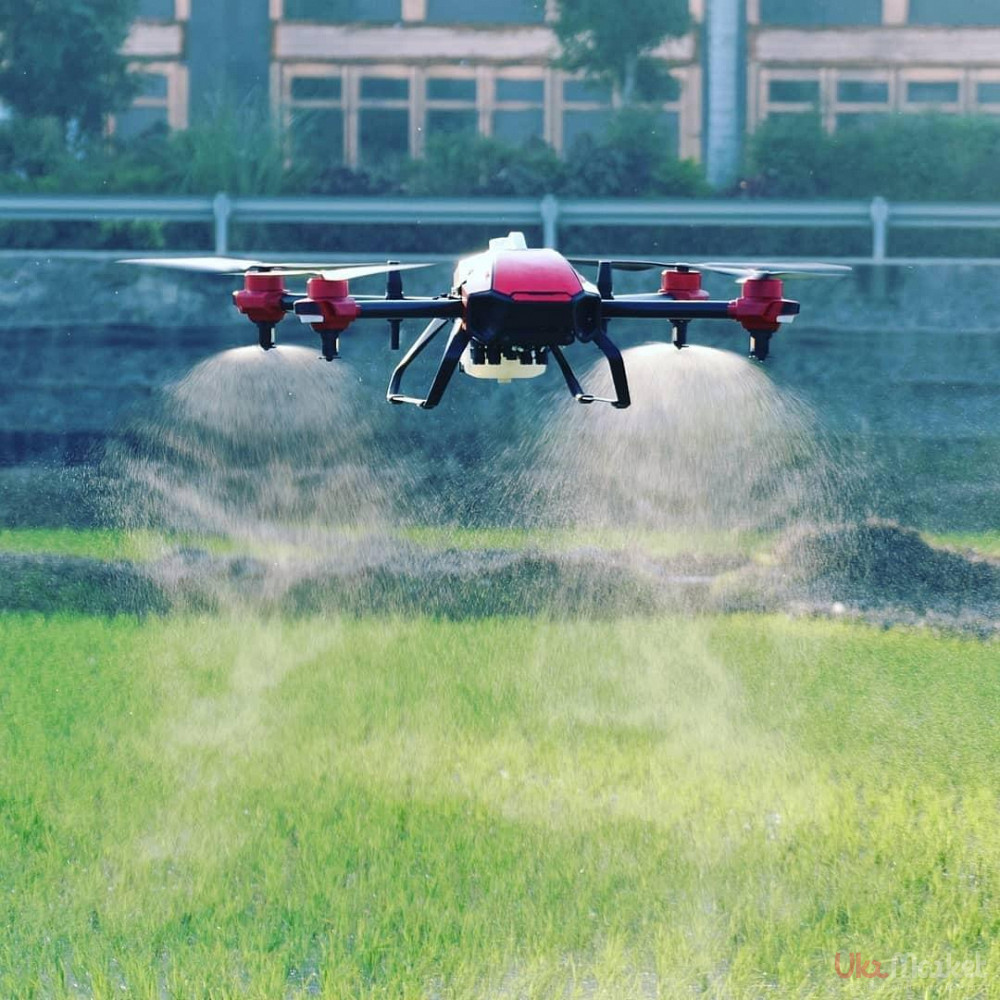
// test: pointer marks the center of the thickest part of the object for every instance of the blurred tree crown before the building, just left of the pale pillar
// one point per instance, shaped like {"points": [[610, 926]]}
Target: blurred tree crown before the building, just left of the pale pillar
{"points": [[613, 42]]}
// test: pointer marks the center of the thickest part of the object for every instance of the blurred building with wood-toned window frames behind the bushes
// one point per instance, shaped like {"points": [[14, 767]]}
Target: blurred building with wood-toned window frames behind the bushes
{"points": [[365, 79]]}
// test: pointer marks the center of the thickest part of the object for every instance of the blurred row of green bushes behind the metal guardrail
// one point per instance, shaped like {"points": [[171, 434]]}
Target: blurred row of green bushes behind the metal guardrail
{"points": [[241, 151]]}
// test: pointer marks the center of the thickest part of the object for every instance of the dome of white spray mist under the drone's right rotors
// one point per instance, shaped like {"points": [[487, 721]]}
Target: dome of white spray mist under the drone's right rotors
{"points": [[709, 443]]}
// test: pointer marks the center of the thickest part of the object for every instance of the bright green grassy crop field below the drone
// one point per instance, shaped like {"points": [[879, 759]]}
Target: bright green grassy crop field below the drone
{"points": [[222, 807]]}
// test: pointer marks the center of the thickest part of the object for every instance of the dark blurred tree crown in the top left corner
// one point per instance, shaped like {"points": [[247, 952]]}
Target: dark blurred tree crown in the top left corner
{"points": [[62, 59]]}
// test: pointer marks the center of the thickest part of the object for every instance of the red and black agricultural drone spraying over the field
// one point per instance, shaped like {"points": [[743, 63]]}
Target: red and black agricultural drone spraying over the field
{"points": [[511, 309]]}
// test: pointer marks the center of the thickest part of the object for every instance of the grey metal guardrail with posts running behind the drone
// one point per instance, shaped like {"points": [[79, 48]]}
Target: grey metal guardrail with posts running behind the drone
{"points": [[548, 212]]}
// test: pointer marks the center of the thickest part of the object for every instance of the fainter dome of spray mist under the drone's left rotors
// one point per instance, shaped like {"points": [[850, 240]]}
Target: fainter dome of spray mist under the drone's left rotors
{"points": [[259, 444]]}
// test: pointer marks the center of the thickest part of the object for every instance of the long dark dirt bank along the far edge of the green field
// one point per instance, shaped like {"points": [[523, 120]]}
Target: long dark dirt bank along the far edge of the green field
{"points": [[876, 571]]}
